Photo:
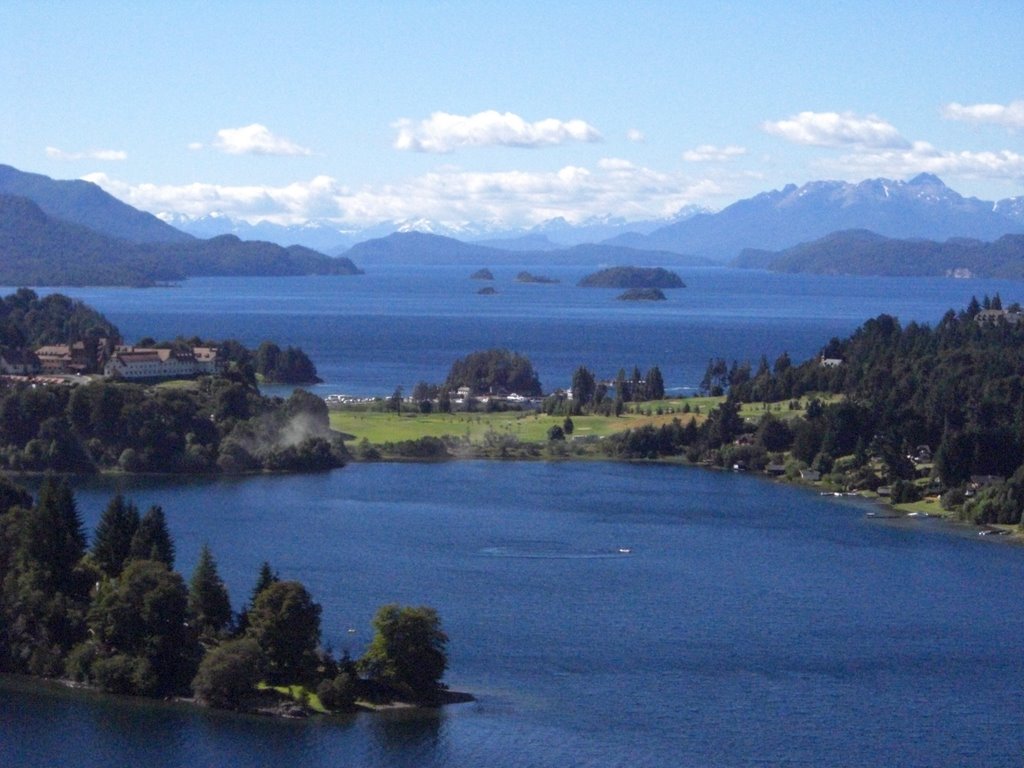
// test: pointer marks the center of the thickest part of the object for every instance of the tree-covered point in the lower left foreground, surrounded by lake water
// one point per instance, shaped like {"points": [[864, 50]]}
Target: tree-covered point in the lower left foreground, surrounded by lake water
{"points": [[118, 617]]}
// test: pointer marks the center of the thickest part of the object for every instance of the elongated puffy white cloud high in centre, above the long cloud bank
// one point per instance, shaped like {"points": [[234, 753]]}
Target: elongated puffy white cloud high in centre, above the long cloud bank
{"points": [[443, 133]]}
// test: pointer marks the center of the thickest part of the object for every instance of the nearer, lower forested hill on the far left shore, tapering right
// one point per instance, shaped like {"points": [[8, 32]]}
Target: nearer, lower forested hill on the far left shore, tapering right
{"points": [[40, 250]]}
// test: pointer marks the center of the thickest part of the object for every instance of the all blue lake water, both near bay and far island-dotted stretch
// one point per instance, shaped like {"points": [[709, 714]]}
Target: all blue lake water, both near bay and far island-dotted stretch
{"points": [[748, 624]]}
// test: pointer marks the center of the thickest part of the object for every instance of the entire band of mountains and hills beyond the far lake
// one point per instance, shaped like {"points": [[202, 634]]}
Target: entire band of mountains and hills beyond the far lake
{"points": [[55, 232]]}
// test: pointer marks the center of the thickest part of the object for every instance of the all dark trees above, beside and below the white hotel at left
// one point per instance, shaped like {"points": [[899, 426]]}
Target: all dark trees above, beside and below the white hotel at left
{"points": [[220, 424]]}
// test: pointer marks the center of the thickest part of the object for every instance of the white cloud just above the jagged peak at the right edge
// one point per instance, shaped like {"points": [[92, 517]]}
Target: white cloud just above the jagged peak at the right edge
{"points": [[922, 157]]}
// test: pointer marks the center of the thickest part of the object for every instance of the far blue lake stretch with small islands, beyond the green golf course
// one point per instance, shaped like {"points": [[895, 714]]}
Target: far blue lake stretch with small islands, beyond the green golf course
{"points": [[396, 326]]}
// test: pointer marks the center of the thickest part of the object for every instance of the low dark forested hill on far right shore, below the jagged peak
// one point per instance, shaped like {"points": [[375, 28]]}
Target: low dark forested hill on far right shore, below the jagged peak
{"points": [[864, 252]]}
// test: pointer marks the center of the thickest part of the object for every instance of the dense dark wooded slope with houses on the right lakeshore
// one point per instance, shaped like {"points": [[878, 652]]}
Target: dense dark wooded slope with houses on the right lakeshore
{"points": [[914, 409]]}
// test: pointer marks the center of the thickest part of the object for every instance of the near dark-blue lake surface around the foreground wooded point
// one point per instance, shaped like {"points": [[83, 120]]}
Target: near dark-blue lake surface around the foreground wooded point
{"points": [[749, 624]]}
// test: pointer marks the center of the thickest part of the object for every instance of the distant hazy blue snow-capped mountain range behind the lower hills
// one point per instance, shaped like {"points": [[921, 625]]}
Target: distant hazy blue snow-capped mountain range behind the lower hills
{"points": [[922, 207]]}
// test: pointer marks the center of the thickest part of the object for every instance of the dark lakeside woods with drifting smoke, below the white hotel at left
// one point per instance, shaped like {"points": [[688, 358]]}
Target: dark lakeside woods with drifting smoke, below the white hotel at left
{"points": [[222, 425]]}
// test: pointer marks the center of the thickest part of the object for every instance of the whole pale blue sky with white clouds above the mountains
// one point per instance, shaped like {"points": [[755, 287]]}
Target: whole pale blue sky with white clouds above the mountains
{"points": [[506, 114]]}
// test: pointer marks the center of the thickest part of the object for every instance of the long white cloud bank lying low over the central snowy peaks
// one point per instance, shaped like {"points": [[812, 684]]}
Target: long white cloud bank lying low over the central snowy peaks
{"points": [[448, 195]]}
